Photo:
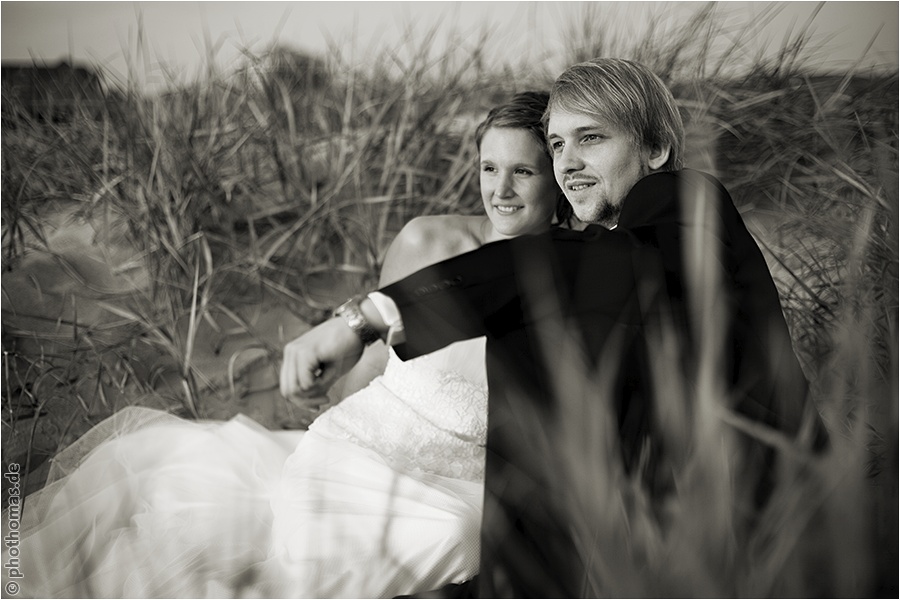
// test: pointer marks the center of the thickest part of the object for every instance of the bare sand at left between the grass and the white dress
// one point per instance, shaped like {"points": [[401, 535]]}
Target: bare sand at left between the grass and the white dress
{"points": [[63, 296]]}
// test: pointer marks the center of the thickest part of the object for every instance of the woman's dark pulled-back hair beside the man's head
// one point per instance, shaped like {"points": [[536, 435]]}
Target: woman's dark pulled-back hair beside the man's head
{"points": [[525, 111]]}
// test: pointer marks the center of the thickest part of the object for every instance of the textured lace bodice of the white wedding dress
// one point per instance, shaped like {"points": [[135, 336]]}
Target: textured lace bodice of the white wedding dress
{"points": [[426, 414]]}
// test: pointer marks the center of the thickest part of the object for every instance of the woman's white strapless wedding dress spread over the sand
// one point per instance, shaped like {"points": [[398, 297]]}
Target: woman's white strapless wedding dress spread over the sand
{"points": [[380, 497]]}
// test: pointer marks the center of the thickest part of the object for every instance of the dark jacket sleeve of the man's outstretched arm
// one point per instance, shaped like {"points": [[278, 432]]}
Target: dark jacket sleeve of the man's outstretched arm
{"points": [[508, 286]]}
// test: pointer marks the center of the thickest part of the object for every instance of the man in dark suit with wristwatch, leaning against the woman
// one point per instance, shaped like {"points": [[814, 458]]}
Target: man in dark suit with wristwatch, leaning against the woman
{"points": [[628, 316]]}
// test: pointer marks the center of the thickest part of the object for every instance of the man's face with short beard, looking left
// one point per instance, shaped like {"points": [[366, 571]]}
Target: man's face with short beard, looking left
{"points": [[596, 164]]}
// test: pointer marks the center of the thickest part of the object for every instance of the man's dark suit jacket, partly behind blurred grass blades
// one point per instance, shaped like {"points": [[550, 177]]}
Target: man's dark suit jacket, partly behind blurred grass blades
{"points": [[565, 308]]}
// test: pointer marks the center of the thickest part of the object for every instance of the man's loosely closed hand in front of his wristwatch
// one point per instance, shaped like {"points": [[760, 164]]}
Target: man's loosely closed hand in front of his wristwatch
{"points": [[316, 359]]}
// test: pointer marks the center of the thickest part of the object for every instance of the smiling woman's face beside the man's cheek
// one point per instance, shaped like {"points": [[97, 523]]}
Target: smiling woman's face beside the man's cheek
{"points": [[518, 188]]}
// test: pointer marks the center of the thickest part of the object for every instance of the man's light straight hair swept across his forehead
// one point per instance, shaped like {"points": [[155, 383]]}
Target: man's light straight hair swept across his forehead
{"points": [[627, 94]]}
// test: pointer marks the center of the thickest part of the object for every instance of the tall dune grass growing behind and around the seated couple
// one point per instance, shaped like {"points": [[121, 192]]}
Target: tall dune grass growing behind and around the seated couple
{"points": [[243, 187]]}
